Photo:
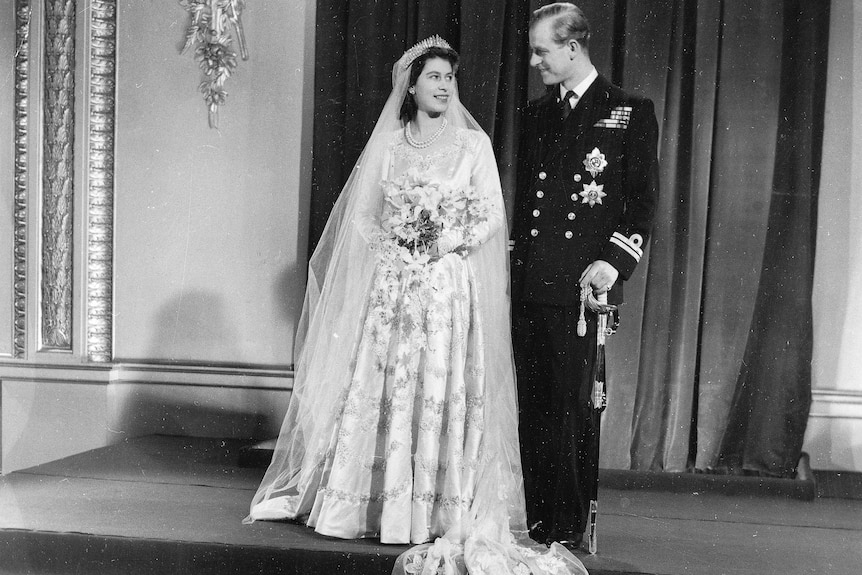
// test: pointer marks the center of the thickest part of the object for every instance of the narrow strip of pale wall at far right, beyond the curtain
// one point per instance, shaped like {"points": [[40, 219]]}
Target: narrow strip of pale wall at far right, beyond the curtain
{"points": [[834, 435]]}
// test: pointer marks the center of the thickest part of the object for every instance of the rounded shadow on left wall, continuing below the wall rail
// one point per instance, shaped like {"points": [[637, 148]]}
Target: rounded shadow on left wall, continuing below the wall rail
{"points": [[194, 328]]}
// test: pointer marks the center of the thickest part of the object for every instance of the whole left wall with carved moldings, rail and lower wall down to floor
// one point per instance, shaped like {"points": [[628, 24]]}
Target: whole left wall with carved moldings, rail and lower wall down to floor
{"points": [[188, 245]]}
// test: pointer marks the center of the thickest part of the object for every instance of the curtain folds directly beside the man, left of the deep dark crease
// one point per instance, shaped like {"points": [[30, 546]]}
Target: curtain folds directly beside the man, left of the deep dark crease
{"points": [[661, 383]]}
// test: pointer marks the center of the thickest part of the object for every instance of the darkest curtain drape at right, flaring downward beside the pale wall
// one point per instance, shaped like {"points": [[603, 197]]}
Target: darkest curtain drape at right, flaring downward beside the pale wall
{"points": [[770, 405]]}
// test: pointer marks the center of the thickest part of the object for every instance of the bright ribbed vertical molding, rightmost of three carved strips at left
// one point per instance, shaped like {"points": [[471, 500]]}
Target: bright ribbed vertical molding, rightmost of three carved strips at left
{"points": [[100, 193]]}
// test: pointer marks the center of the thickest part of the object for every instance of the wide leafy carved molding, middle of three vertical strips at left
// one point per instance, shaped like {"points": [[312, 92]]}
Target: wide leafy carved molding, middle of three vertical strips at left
{"points": [[58, 175]]}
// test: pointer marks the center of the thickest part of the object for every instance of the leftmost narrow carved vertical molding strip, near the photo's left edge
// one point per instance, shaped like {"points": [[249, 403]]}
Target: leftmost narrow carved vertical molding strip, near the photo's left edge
{"points": [[23, 12]]}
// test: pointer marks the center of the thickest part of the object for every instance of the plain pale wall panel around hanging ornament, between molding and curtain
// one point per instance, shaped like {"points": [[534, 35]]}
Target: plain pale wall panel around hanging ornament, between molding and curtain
{"points": [[210, 224]]}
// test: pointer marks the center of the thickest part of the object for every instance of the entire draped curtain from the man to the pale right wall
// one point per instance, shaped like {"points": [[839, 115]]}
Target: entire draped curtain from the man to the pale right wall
{"points": [[723, 374]]}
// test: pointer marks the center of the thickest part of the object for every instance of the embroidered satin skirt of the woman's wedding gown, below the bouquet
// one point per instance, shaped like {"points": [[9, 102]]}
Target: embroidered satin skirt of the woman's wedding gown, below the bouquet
{"points": [[403, 457]]}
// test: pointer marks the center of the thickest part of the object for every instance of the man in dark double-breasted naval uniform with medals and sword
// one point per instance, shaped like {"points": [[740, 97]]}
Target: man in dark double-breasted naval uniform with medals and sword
{"points": [[586, 194]]}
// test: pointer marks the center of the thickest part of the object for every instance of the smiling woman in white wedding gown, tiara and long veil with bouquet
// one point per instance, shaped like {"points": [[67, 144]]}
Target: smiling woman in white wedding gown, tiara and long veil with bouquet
{"points": [[403, 420]]}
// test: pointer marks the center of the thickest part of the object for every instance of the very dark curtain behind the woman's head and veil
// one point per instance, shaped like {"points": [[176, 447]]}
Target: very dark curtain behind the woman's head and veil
{"points": [[356, 44]]}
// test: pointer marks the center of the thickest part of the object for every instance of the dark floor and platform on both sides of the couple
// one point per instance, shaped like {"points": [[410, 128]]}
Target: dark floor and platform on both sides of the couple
{"points": [[176, 504]]}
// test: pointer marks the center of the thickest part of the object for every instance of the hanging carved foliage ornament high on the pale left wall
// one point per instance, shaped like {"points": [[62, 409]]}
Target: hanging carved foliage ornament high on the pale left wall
{"points": [[209, 33]]}
